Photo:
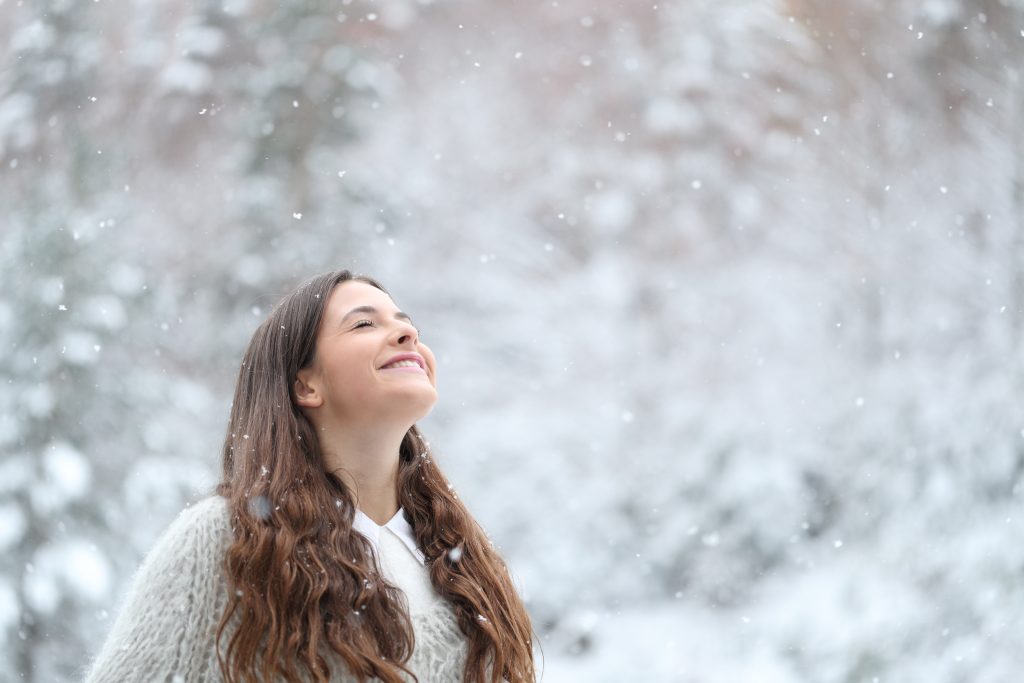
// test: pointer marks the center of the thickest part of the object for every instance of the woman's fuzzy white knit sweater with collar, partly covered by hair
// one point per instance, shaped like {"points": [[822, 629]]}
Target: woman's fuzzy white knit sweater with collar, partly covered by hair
{"points": [[166, 628]]}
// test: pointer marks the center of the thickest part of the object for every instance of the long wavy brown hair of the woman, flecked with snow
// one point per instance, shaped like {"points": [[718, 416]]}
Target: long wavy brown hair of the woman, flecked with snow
{"points": [[302, 580]]}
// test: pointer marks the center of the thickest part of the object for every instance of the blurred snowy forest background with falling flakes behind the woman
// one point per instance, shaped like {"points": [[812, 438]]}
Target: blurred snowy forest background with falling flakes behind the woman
{"points": [[728, 298]]}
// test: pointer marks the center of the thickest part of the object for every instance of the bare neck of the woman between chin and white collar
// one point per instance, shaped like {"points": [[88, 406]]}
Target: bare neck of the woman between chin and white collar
{"points": [[368, 462]]}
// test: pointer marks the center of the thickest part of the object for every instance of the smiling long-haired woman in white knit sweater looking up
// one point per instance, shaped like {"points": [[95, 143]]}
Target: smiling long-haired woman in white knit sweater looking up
{"points": [[334, 549]]}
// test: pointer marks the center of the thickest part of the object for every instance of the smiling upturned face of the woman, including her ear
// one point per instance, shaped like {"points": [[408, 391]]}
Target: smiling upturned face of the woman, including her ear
{"points": [[370, 364]]}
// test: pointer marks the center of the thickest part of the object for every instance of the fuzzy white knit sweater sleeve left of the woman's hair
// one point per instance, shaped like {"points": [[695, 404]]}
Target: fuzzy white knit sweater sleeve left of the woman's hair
{"points": [[167, 625]]}
